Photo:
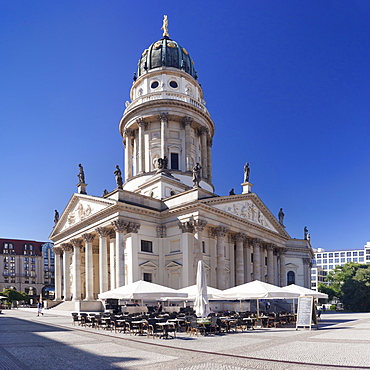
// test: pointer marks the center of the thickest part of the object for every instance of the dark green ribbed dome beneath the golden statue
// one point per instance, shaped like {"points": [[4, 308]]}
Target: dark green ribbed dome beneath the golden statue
{"points": [[166, 53]]}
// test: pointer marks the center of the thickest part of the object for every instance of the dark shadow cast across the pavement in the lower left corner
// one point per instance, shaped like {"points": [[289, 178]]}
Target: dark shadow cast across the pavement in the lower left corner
{"points": [[33, 345]]}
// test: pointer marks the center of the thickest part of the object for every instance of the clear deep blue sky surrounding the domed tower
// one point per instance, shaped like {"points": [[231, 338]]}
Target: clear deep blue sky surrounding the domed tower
{"points": [[287, 84]]}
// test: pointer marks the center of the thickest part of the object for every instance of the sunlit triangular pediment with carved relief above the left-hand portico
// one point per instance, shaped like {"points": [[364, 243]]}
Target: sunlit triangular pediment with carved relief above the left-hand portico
{"points": [[80, 208]]}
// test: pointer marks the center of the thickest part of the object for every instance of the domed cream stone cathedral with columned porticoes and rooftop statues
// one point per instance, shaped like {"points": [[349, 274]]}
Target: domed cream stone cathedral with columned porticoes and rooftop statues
{"points": [[164, 216]]}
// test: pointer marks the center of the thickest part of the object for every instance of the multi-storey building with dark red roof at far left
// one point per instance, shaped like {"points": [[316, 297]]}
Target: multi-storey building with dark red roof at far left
{"points": [[23, 267]]}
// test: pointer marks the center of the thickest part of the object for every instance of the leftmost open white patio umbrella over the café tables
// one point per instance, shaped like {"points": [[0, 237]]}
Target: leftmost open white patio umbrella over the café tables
{"points": [[141, 290]]}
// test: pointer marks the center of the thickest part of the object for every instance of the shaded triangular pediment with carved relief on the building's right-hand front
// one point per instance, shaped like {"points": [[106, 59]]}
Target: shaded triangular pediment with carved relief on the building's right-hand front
{"points": [[248, 210]]}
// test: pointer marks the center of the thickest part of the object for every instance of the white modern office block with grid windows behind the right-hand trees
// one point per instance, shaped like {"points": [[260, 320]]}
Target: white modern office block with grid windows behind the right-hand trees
{"points": [[324, 262]]}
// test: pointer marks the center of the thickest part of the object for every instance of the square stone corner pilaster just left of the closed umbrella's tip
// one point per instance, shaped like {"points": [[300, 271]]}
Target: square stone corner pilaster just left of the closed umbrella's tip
{"points": [[187, 244]]}
